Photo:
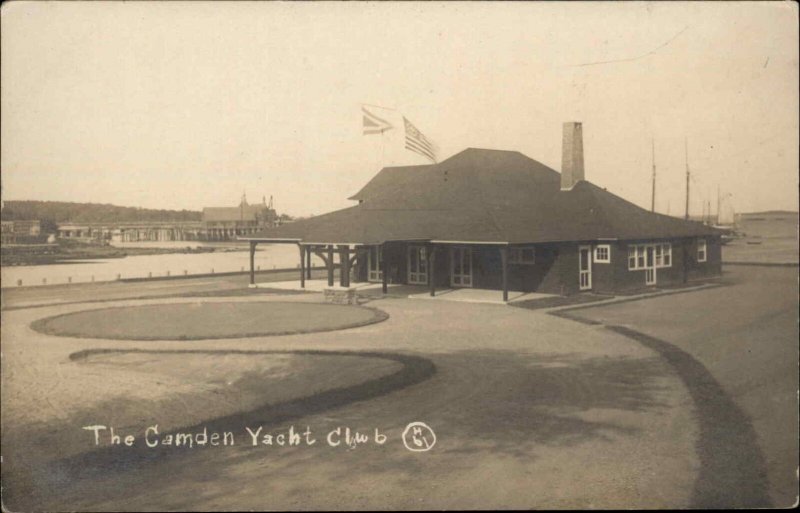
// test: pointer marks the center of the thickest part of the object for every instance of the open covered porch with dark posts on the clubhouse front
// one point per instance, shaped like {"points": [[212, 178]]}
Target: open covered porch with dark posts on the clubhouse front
{"points": [[466, 271]]}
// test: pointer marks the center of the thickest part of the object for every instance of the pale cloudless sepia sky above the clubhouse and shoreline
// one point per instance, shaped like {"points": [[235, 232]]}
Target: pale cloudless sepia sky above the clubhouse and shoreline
{"points": [[183, 105]]}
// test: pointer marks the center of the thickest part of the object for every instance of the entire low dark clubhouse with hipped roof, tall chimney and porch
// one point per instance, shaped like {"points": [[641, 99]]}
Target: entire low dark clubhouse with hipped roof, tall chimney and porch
{"points": [[499, 220]]}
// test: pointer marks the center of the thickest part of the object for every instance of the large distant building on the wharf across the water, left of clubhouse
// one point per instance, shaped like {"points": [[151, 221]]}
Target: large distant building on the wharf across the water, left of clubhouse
{"points": [[227, 223]]}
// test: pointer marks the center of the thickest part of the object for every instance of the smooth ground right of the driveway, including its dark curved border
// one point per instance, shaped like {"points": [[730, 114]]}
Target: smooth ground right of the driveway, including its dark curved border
{"points": [[735, 348]]}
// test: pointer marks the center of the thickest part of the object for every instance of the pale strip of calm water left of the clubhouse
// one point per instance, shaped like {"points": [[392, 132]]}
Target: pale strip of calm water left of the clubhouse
{"points": [[268, 256]]}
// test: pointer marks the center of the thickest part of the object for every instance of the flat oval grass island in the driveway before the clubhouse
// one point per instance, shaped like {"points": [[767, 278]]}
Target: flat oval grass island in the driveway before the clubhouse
{"points": [[207, 320]]}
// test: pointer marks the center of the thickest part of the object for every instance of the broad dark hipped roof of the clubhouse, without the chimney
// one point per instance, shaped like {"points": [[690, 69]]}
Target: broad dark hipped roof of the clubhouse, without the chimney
{"points": [[482, 196]]}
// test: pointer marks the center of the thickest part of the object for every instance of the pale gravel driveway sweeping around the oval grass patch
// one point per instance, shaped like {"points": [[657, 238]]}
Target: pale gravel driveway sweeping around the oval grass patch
{"points": [[529, 410]]}
